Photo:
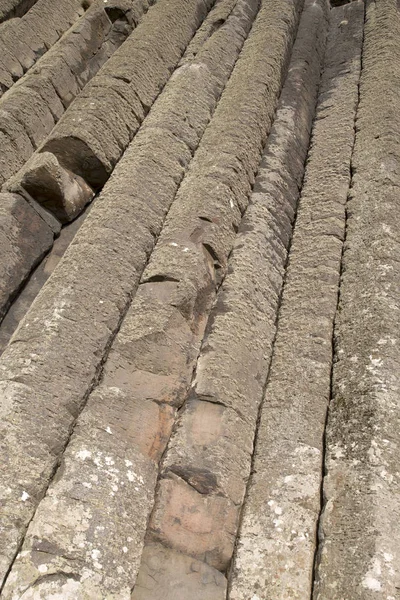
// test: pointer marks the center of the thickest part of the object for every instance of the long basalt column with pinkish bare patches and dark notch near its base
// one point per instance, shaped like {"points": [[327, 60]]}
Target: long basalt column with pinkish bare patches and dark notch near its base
{"points": [[201, 488]]}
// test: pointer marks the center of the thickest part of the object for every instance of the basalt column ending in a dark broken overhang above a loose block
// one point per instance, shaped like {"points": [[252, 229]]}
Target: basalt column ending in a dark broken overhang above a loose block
{"points": [[92, 136]]}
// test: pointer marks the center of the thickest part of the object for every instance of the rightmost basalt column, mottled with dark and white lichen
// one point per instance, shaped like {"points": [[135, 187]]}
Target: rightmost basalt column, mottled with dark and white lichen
{"points": [[359, 554]]}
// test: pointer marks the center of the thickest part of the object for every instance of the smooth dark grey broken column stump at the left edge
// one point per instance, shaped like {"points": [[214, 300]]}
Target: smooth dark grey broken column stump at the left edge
{"points": [[24, 239]]}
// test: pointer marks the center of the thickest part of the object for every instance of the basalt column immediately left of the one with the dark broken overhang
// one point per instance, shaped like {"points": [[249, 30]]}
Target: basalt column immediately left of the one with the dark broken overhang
{"points": [[38, 100]]}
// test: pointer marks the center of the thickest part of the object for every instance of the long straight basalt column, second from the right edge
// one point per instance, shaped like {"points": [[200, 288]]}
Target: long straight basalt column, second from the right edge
{"points": [[277, 539]]}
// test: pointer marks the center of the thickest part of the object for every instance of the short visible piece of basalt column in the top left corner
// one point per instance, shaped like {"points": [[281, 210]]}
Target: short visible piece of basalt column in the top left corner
{"points": [[24, 40]]}
